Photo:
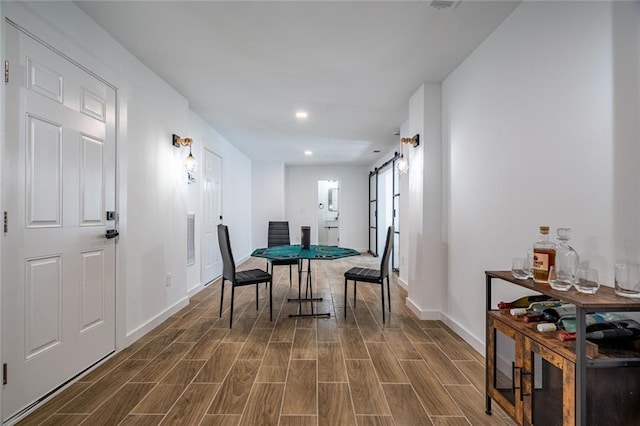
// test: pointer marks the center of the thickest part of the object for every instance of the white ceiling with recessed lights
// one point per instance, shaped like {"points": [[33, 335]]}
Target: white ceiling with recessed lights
{"points": [[247, 67]]}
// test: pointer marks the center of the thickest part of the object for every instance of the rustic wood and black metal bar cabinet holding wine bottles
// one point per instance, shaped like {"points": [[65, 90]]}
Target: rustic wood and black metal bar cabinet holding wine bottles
{"points": [[553, 382]]}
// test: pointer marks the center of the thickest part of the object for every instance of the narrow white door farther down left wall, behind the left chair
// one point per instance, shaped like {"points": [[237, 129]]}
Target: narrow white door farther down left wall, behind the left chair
{"points": [[212, 209]]}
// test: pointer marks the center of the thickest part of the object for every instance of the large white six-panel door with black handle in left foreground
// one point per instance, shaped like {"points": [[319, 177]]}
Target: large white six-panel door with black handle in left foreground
{"points": [[58, 269]]}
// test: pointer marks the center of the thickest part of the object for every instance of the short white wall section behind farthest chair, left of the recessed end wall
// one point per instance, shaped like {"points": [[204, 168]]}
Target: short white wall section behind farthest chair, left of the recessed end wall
{"points": [[268, 198]]}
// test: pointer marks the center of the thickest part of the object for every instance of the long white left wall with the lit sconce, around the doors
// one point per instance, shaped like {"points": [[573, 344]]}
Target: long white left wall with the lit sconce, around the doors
{"points": [[153, 194]]}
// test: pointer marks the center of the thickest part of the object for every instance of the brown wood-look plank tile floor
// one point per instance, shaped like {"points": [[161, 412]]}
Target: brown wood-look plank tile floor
{"points": [[194, 370]]}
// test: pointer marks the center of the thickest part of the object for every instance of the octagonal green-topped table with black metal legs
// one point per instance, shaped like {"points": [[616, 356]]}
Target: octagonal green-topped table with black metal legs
{"points": [[313, 252]]}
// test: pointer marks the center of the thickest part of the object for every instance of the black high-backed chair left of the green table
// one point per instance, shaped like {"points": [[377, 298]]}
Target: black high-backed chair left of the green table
{"points": [[239, 278]]}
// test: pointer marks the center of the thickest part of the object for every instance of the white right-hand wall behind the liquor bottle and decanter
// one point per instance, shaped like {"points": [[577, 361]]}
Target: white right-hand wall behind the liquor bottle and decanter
{"points": [[528, 135]]}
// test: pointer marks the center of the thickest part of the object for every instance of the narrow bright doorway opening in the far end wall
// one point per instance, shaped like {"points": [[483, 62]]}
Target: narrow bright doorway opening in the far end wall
{"points": [[328, 212]]}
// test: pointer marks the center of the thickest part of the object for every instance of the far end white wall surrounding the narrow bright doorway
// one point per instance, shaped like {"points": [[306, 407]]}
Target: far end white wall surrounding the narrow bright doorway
{"points": [[301, 189]]}
